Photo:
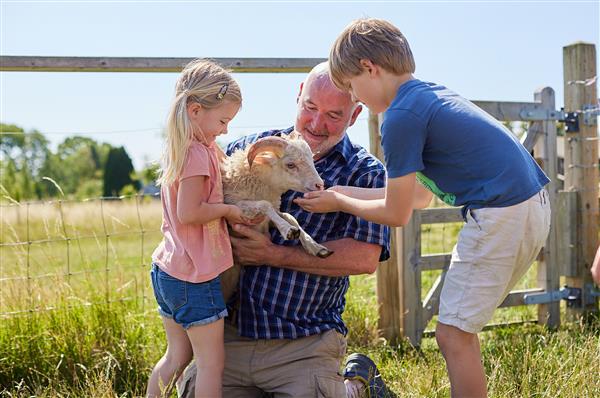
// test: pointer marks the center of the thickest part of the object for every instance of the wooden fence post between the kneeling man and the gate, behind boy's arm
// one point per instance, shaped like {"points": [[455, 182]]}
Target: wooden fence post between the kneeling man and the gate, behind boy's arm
{"points": [[388, 276]]}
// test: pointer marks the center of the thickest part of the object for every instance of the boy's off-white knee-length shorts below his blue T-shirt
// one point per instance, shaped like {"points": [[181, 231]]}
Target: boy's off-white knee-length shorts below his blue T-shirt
{"points": [[495, 248]]}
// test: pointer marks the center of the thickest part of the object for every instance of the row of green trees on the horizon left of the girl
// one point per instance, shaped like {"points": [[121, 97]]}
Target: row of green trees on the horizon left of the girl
{"points": [[79, 168]]}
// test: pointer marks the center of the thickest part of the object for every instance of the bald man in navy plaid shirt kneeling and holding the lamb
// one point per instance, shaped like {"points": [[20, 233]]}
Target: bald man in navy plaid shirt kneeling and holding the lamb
{"points": [[290, 339]]}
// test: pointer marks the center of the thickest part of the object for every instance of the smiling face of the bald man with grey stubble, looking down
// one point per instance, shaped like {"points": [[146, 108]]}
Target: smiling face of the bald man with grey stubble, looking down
{"points": [[324, 113]]}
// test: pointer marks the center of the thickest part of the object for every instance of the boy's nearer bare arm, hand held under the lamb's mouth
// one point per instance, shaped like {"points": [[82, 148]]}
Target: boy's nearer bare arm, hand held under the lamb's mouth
{"points": [[394, 209]]}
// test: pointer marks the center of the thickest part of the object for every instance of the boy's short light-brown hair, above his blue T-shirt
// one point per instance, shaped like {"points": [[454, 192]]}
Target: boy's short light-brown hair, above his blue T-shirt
{"points": [[373, 39]]}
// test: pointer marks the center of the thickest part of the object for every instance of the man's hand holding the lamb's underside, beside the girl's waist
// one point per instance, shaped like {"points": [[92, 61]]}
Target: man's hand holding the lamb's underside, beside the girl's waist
{"points": [[255, 248]]}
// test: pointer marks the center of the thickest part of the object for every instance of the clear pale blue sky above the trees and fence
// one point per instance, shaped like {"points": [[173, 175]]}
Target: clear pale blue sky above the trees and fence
{"points": [[485, 50]]}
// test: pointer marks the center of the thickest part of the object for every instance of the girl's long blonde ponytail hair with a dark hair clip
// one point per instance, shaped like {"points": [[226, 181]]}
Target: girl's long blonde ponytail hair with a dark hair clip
{"points": [[206, 83]]}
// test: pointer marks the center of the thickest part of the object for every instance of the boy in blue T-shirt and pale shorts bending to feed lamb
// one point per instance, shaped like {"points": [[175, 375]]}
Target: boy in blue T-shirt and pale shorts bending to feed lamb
{"points": [[464, 156]]}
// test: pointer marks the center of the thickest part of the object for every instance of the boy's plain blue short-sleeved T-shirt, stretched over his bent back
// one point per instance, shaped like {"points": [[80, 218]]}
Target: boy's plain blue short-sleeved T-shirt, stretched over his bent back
{"points": [[458, 151]]}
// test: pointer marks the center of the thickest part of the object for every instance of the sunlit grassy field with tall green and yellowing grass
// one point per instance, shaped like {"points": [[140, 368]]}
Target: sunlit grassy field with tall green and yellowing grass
{"points": [[88, 263]]}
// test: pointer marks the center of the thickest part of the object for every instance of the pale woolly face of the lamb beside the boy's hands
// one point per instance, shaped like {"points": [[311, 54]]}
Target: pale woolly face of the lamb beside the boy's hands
{"points": [[295, 170]]}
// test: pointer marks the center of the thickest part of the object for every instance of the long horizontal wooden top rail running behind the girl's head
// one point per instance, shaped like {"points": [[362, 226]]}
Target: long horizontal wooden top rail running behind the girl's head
{"points": [[150, 64]]}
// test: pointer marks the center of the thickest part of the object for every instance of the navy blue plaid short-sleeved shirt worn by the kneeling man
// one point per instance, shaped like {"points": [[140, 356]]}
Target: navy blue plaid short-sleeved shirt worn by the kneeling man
{"points": [[278, 303]]}
